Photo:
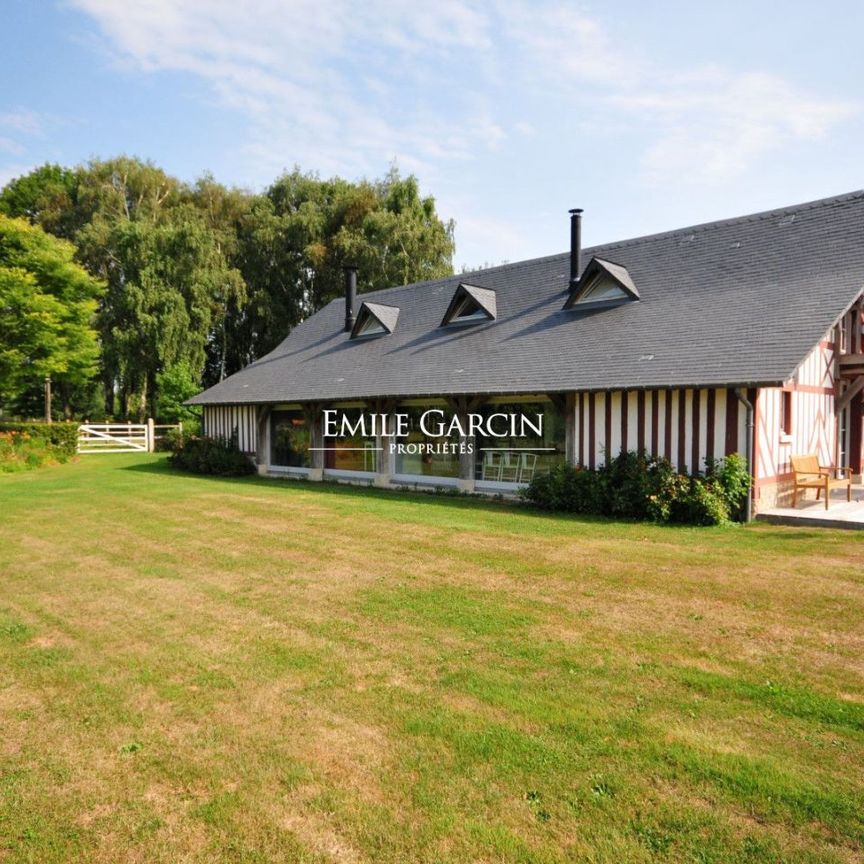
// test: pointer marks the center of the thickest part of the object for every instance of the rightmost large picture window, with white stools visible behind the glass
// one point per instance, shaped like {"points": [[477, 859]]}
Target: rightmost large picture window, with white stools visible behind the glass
{"points": [[512, 459]]}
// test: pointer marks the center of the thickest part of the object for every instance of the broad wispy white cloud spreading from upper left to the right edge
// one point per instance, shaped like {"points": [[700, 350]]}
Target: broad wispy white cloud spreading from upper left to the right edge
{"points": [[346, 87]]}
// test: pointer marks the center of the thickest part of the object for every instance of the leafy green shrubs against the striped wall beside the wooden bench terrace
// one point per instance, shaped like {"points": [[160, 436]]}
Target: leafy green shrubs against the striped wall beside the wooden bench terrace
{"points": [[635, 485]]}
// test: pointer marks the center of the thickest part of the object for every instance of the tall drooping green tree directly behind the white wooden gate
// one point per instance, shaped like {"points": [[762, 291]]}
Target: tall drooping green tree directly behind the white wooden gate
{"points": [[167, 274]]}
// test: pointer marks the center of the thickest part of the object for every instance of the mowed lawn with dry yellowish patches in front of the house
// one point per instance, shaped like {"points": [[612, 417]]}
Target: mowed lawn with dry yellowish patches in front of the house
{"points": [[206, 670]]}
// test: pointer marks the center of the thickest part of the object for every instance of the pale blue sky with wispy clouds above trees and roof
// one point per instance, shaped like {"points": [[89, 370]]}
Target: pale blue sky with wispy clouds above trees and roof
{"points": [[650, 116]]}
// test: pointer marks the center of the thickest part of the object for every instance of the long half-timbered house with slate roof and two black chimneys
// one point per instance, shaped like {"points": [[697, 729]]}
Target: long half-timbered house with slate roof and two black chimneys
{"points": [[744, 335]]}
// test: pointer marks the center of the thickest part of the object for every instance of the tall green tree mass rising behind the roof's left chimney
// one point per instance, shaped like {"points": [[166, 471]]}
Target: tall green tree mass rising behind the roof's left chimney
{"points": [[295, 239]]}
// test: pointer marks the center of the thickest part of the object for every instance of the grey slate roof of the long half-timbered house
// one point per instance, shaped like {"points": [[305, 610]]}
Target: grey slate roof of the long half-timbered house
{"points": [[736, 302]]}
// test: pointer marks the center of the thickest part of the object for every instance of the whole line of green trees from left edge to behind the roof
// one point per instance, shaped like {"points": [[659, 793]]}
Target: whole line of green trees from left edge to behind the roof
{"points": [[133, 290]]}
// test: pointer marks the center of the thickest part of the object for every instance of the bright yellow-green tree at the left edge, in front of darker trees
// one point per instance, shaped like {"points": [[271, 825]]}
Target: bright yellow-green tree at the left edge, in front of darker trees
{"points": [[47, 309]]}
